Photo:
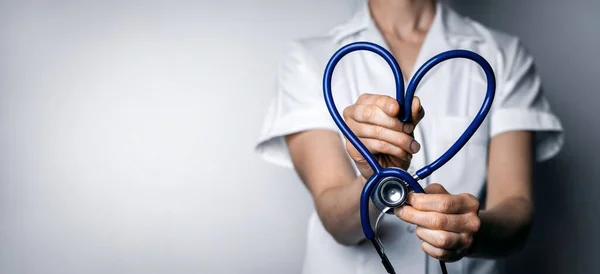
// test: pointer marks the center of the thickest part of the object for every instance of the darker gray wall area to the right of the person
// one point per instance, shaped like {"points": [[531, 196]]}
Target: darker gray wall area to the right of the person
{"points": [[564, 36]]}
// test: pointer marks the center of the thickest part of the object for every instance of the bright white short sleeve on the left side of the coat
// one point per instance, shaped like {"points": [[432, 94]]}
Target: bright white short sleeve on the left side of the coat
{"points": [[297, 105]]}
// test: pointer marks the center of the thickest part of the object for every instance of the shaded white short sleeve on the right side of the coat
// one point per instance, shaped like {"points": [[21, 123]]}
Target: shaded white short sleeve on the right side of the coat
{"points": [[521, 105]]}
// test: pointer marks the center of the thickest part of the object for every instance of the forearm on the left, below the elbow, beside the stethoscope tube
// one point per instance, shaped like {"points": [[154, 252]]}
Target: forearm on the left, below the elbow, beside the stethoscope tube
{"points": [[339, 210]]}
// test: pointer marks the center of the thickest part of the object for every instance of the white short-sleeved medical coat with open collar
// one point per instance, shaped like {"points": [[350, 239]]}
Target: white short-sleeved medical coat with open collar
{"points": [[451, 94]]}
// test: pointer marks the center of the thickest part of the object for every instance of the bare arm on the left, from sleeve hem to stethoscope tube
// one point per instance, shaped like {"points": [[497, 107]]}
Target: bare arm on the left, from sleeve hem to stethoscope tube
{"points": [[323, 165]]}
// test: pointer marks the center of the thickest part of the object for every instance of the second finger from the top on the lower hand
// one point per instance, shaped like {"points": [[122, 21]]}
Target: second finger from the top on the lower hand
{"points": [[459, 223]]}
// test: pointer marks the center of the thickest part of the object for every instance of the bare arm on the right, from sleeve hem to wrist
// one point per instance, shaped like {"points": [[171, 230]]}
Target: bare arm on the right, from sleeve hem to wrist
{"points": [[506, 221]]}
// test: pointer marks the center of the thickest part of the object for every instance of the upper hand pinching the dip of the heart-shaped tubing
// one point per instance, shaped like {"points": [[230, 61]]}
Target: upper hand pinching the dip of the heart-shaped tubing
{"points": [[374, 120]]}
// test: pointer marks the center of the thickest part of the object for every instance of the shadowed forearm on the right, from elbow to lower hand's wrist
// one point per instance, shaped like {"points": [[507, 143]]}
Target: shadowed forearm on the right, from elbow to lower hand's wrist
{"points": [[504, 228]]}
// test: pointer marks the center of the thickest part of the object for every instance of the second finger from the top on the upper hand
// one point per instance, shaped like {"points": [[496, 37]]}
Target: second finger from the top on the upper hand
{"points": [[372, 114]]}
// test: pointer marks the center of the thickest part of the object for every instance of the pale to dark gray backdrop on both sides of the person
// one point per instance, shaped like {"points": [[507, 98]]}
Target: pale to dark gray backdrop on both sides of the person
{"points": [[127, 129]]}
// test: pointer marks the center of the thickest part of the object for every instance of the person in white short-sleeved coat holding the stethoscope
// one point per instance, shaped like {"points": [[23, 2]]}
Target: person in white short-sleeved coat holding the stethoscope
{"points": [[482, 209]]}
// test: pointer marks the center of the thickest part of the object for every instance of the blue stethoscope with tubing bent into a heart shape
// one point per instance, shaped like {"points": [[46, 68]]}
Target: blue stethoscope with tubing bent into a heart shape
{"points": [[389, 187]]}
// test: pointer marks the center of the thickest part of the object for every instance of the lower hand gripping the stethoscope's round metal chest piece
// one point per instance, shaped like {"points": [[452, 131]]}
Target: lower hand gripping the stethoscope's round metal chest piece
{"points": [[446, 223]]}
